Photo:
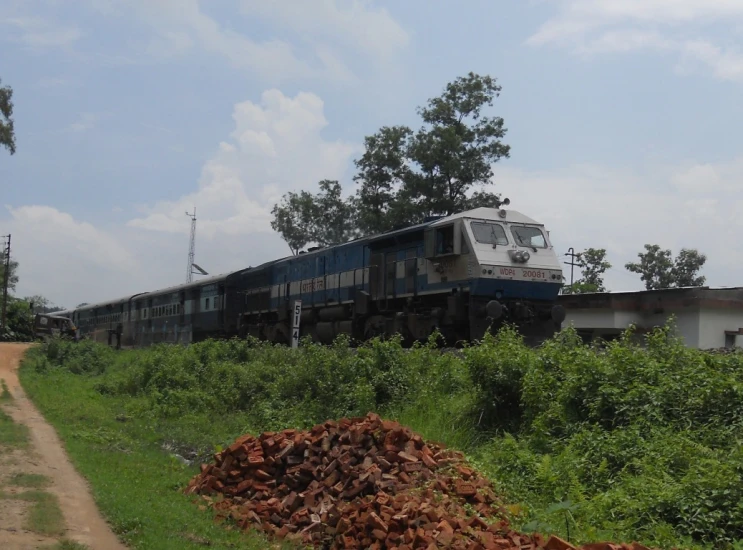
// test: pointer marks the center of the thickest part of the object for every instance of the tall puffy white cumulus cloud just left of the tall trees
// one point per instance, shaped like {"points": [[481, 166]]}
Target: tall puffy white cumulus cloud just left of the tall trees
{"points": [[276, 146]]}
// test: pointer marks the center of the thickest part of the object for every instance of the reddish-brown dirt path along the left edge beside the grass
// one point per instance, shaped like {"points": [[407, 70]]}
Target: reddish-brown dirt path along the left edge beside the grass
{"points": [[44, 456]]}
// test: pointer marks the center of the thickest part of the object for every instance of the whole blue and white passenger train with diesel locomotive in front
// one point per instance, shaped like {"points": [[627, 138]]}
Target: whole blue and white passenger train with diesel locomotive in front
{"points": [[463, 275]]}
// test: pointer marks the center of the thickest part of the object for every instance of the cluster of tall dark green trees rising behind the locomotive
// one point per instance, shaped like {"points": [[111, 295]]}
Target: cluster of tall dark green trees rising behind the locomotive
{"points": [[404, 176]]}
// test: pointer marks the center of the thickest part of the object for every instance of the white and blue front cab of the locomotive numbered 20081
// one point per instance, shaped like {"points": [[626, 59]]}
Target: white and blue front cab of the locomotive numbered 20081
{"points": [[505, 263]]}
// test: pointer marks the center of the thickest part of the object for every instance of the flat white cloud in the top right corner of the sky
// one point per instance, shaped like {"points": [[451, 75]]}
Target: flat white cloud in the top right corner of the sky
{"points": [[606, 26]]}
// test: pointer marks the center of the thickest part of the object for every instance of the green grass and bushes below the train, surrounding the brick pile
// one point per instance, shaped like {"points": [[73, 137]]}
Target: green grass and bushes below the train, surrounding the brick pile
{"points": [[622, 444]]}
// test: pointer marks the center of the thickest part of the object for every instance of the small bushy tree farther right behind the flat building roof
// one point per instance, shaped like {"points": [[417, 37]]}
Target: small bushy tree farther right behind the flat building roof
{"points": [[658, 270]]}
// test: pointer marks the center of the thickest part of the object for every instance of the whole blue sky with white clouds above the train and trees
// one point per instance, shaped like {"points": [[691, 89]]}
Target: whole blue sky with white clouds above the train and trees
{"points": [[623, 118]]}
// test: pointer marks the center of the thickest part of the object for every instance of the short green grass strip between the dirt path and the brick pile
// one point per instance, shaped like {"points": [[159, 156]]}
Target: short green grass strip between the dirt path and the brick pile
{"points": [[136, 484]]}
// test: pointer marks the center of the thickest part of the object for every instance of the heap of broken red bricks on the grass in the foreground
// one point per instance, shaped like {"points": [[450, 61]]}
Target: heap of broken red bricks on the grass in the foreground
{"points": [[359, 483]]}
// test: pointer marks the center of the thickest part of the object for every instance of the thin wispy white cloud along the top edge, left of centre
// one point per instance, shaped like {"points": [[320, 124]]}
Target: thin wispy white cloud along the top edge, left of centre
{"points": [[320, 33]]}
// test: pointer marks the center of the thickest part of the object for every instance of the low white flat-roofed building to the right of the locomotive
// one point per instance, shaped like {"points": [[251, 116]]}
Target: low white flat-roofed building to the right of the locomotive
{"points": [[705, 317]]}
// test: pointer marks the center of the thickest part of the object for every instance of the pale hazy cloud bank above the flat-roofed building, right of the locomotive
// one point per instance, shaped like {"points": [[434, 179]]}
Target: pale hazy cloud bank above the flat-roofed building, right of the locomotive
{"points": [[693, 206]]}
